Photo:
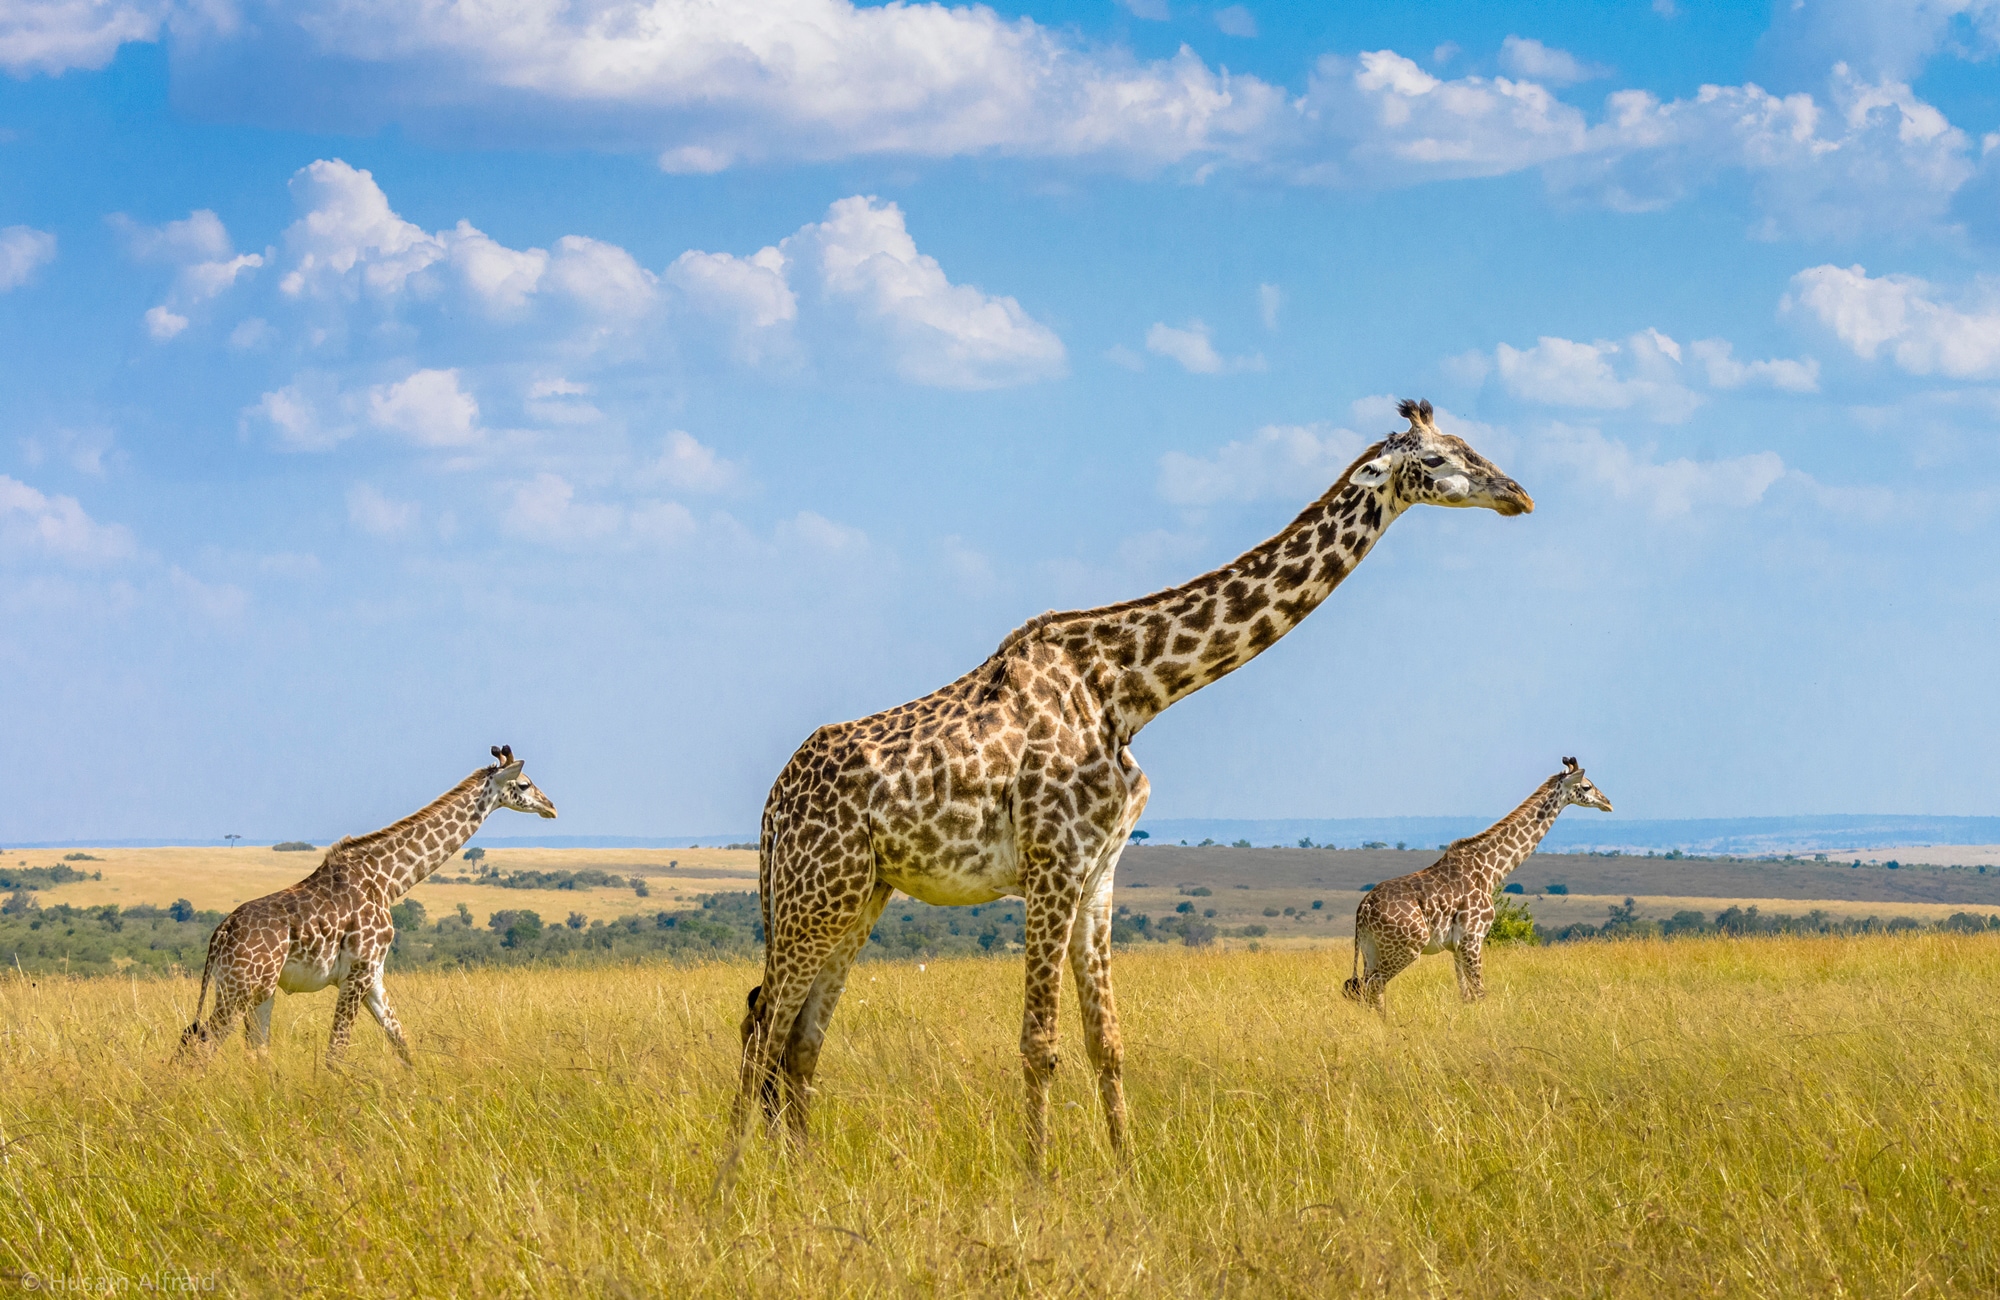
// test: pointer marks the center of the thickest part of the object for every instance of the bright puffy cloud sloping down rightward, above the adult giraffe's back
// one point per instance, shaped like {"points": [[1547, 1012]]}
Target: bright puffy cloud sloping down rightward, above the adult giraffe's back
{"points": [[943, 335]]}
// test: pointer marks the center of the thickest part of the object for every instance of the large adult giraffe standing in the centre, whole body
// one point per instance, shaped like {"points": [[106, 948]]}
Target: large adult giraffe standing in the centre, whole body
{"points": [[1017, 779]]}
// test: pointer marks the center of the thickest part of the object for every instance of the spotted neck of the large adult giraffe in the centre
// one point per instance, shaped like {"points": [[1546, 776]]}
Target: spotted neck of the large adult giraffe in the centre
{"points": [[1163, 649]]}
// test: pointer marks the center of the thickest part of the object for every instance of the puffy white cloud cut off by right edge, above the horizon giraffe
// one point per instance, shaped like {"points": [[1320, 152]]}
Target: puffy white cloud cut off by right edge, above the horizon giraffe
{"points": [[1905, 317]]}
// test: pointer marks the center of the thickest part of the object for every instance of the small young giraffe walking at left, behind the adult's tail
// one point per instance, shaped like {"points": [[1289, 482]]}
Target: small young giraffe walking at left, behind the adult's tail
{"points": [[335, 929]]}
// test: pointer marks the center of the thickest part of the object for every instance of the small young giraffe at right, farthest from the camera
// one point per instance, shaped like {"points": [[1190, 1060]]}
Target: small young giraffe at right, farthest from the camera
{"points": [[1451, 903]]}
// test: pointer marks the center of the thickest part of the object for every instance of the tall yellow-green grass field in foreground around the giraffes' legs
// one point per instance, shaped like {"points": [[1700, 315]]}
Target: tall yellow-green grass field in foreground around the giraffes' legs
{"points": [[1721, 1117]]}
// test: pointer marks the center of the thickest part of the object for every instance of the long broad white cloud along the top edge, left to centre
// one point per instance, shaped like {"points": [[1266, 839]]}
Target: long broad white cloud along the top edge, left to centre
{"points": [[711, 87]]}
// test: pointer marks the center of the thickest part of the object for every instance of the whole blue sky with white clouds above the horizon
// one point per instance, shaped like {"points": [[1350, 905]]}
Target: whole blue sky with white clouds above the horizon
{"points": [[647, 385]]}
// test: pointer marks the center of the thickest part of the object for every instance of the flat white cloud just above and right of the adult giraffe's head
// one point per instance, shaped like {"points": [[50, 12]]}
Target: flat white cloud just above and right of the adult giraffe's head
{"points": [[1647, 373]]}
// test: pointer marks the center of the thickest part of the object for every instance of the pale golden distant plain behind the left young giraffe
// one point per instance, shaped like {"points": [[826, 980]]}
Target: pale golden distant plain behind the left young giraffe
{"points": [[219, 879]]}
